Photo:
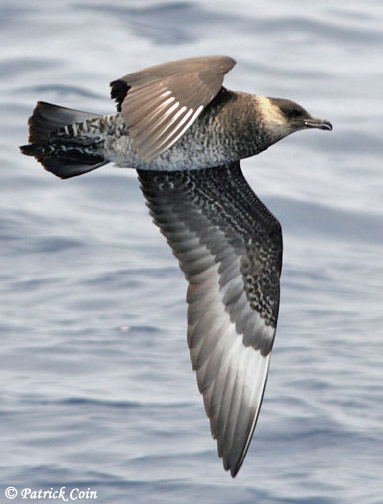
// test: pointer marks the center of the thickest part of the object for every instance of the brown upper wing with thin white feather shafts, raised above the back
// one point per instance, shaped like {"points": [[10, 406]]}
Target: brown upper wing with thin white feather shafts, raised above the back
{"points": [[160, 103]]}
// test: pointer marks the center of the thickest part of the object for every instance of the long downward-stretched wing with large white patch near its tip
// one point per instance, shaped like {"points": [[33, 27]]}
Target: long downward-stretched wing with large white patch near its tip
{"points": [[229, 247]]}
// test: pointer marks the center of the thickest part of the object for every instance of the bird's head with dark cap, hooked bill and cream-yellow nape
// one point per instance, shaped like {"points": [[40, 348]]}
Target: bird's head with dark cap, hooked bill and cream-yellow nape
{"points": [[282, 117]]}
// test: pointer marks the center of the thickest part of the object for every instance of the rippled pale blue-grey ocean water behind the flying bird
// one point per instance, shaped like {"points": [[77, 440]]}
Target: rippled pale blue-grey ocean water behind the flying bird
{"points": [[97, 391]]}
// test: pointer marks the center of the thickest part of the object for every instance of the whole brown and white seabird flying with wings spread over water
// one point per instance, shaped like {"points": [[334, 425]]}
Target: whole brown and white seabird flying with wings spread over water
{"points": [[185, 134]]}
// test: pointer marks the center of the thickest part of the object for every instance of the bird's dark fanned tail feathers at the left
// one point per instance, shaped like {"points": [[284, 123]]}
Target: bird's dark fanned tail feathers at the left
{"points": [[57, 143]]}
